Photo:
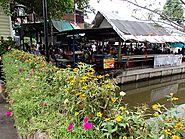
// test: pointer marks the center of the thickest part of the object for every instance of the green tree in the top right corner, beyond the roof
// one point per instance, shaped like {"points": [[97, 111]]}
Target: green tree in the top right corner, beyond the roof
{"points": [[173, 9]]}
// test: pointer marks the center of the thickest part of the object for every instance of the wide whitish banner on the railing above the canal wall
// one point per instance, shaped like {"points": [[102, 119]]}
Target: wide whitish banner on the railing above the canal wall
{"points": [[167, 60]]}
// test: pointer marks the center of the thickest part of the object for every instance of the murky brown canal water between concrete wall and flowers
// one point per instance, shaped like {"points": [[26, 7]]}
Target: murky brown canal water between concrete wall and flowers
{"points": [[154, 91]]}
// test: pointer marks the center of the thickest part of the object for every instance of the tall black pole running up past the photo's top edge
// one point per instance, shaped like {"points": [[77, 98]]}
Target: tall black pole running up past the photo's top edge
{"points": [[45, 15]]}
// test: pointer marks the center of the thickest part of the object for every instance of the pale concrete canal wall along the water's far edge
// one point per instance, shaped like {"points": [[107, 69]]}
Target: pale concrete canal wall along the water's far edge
{"points": [[135, 75]]}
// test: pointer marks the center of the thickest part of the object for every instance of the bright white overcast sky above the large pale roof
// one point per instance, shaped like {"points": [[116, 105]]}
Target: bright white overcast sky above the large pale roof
{"points": [[124, 9]]}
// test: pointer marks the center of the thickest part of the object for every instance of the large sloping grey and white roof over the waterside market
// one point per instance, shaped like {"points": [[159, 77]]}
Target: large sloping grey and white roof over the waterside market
{"points": [[136, 30]]}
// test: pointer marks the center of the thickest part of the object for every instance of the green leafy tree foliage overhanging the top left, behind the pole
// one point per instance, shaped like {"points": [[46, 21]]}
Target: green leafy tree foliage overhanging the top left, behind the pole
{"points": [[56, 8]]}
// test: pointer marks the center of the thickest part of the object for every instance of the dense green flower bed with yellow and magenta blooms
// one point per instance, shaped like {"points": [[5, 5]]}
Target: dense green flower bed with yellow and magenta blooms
{"points": [[75, 103]]}
